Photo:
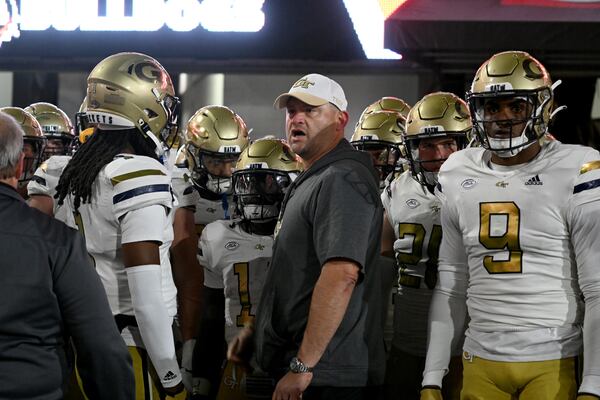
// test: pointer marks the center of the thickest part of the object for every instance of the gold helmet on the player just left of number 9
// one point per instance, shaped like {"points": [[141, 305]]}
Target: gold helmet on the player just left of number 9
{"points": [[436, 116]]}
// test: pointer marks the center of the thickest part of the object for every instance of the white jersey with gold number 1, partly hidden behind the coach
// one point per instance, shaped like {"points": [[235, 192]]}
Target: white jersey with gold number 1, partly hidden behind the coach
{"points": [[237, 262]]}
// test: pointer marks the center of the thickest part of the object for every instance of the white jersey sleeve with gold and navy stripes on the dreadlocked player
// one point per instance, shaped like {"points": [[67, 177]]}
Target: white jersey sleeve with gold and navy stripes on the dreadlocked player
{"points": [[138, 182]]}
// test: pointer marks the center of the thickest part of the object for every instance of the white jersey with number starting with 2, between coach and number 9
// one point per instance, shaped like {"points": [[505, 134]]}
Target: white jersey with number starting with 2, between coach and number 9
{"points": [[414, 214]]}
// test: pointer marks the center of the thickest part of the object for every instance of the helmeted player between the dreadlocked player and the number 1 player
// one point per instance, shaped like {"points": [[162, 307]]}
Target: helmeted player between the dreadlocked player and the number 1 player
{"points": [[213, 140]]}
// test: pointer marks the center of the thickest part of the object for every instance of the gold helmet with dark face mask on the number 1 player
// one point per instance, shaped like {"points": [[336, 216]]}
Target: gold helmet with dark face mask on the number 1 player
{"points": [[263, 173]]}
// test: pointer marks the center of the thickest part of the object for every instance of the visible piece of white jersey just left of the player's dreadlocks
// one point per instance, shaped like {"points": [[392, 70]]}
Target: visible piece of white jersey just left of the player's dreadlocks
{"points": [[44, 183]]}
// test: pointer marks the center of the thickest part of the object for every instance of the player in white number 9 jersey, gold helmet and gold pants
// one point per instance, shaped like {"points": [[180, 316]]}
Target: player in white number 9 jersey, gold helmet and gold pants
{"points": [[511, 251]]}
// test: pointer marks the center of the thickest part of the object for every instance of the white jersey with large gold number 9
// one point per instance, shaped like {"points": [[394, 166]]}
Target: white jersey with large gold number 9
{"points": [[506, 230]]}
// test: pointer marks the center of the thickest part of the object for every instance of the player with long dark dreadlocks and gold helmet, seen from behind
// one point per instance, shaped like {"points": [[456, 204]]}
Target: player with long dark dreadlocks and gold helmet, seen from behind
{"points": [[121, 196]]}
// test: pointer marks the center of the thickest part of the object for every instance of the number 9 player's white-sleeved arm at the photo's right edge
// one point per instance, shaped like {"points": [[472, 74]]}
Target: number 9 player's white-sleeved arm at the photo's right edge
{"points": [[584, 225]]}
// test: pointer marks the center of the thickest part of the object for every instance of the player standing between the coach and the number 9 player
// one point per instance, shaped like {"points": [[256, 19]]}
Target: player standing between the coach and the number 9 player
{"points": [[437, 126]]}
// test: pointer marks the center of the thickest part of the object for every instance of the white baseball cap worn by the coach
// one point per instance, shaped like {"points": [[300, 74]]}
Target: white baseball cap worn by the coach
{"points": [[314, 90]]}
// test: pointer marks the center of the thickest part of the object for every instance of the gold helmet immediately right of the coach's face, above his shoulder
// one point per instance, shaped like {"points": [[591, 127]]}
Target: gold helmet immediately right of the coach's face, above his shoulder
{"points": [[380, 134]]}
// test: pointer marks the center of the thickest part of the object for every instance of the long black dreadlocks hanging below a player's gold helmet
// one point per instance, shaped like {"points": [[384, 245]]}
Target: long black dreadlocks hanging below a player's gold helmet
{"points": [[92, 156]]}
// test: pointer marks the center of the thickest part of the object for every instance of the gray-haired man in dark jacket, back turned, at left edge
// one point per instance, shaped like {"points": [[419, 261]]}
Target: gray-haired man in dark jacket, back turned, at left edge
{"points": [[50, 291]]}
